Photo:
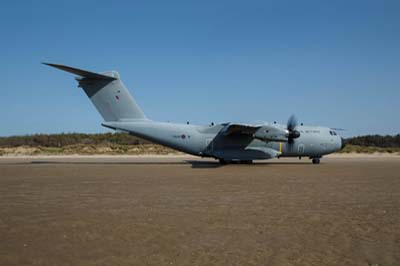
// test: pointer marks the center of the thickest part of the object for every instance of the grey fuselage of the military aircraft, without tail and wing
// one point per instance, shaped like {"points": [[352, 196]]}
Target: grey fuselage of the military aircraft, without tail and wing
{"points": [[205, 141]]}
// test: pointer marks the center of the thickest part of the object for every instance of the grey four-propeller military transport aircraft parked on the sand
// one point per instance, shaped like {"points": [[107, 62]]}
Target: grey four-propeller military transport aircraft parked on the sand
{"points": [[227, 142]]}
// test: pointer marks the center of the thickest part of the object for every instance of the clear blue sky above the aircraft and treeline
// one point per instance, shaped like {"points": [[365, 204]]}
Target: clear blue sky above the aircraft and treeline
{"points": [[332, 63]]}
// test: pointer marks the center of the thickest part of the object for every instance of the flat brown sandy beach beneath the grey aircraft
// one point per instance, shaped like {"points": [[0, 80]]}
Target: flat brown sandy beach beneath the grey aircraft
{"points": [[187, 211]]}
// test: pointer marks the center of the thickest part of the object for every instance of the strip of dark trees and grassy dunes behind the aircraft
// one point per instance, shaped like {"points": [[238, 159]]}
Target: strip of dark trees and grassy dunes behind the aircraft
{"points": [[121, 143]]}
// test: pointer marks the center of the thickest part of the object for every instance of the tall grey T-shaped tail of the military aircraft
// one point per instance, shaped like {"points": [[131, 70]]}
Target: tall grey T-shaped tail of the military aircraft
{"points": [[107, 93]]}
